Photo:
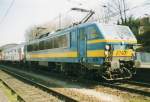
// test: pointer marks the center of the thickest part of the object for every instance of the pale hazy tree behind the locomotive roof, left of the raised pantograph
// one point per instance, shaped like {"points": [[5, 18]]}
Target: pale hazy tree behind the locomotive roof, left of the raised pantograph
{"points": [[36, 31]]}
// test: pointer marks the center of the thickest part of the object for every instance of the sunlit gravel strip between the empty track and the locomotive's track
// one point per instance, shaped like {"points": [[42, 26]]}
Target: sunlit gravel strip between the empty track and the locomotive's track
{"points": [[101, 93]]}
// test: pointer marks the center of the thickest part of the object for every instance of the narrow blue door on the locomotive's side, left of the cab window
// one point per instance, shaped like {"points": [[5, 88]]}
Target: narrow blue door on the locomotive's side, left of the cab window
{"points": [[82, 44]]}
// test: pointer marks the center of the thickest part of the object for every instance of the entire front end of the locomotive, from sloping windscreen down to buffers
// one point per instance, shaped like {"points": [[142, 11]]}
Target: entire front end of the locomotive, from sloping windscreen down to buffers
{"points": [[119, 60]]}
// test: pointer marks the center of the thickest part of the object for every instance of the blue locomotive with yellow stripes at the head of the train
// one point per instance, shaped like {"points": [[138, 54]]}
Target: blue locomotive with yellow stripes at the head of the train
{"points": [[102, 49]]}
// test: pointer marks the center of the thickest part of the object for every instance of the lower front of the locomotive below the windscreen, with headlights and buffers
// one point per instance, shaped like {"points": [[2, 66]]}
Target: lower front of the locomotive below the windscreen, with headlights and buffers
{"points": [[119, 62]]}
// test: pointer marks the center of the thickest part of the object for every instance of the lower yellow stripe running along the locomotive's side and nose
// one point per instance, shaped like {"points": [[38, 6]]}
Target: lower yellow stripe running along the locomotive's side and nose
{"points": [[90, 53]]}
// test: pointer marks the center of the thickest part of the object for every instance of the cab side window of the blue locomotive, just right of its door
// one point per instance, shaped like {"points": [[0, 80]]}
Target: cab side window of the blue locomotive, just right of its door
{"points": [[92, 32]]}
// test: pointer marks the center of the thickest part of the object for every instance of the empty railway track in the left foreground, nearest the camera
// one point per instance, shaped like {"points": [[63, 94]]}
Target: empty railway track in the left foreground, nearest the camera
{"points": [[30, 91]]}
